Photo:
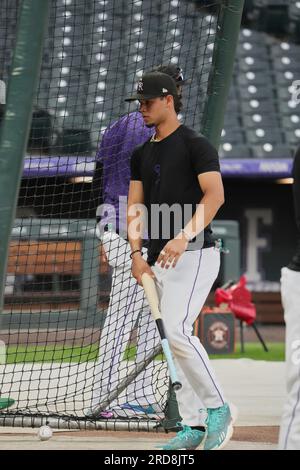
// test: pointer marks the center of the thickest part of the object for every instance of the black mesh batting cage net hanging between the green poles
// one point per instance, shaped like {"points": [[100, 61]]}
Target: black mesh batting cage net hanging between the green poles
{"points": [[77, 340]]}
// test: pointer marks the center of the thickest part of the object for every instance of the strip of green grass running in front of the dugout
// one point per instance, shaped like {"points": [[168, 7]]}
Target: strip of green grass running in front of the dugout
{"points": [[76, 354]]}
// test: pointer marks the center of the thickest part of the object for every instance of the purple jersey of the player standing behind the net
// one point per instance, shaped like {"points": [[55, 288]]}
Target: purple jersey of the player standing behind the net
{"points": [[118, 142]]}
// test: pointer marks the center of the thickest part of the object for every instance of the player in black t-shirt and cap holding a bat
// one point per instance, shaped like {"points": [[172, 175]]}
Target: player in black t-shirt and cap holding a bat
{"points": [[179, 169]]}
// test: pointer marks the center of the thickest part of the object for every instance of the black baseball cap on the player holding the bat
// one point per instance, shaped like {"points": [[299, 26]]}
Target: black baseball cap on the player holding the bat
{"points": [[153, 85]]}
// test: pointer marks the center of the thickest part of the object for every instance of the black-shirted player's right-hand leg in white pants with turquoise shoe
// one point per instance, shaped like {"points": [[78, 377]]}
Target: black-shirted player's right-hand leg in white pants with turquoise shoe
{"points": [[183, 291]]}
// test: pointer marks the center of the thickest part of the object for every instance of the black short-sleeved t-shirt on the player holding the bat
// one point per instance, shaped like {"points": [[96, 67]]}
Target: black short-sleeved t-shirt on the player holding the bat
{"points": [[169, 172]]}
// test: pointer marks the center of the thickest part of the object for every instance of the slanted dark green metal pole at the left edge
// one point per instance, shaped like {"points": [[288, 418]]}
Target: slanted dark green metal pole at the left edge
{"points": [[23, 80]]}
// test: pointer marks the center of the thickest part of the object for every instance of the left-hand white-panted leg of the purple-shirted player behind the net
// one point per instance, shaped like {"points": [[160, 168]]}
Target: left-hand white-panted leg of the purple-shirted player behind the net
{"points": [[126, 298]]}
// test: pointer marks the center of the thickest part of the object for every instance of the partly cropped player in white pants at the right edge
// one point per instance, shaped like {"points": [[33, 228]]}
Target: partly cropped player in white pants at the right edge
{"points": [[289, 438]]}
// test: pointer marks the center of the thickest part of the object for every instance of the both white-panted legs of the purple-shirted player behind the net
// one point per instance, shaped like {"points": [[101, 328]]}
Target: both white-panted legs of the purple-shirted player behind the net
{"points": [[127, 302]]}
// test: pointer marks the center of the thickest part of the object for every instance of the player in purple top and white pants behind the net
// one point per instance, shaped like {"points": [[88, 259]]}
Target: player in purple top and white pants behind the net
{"points": [[127, 303]]}
